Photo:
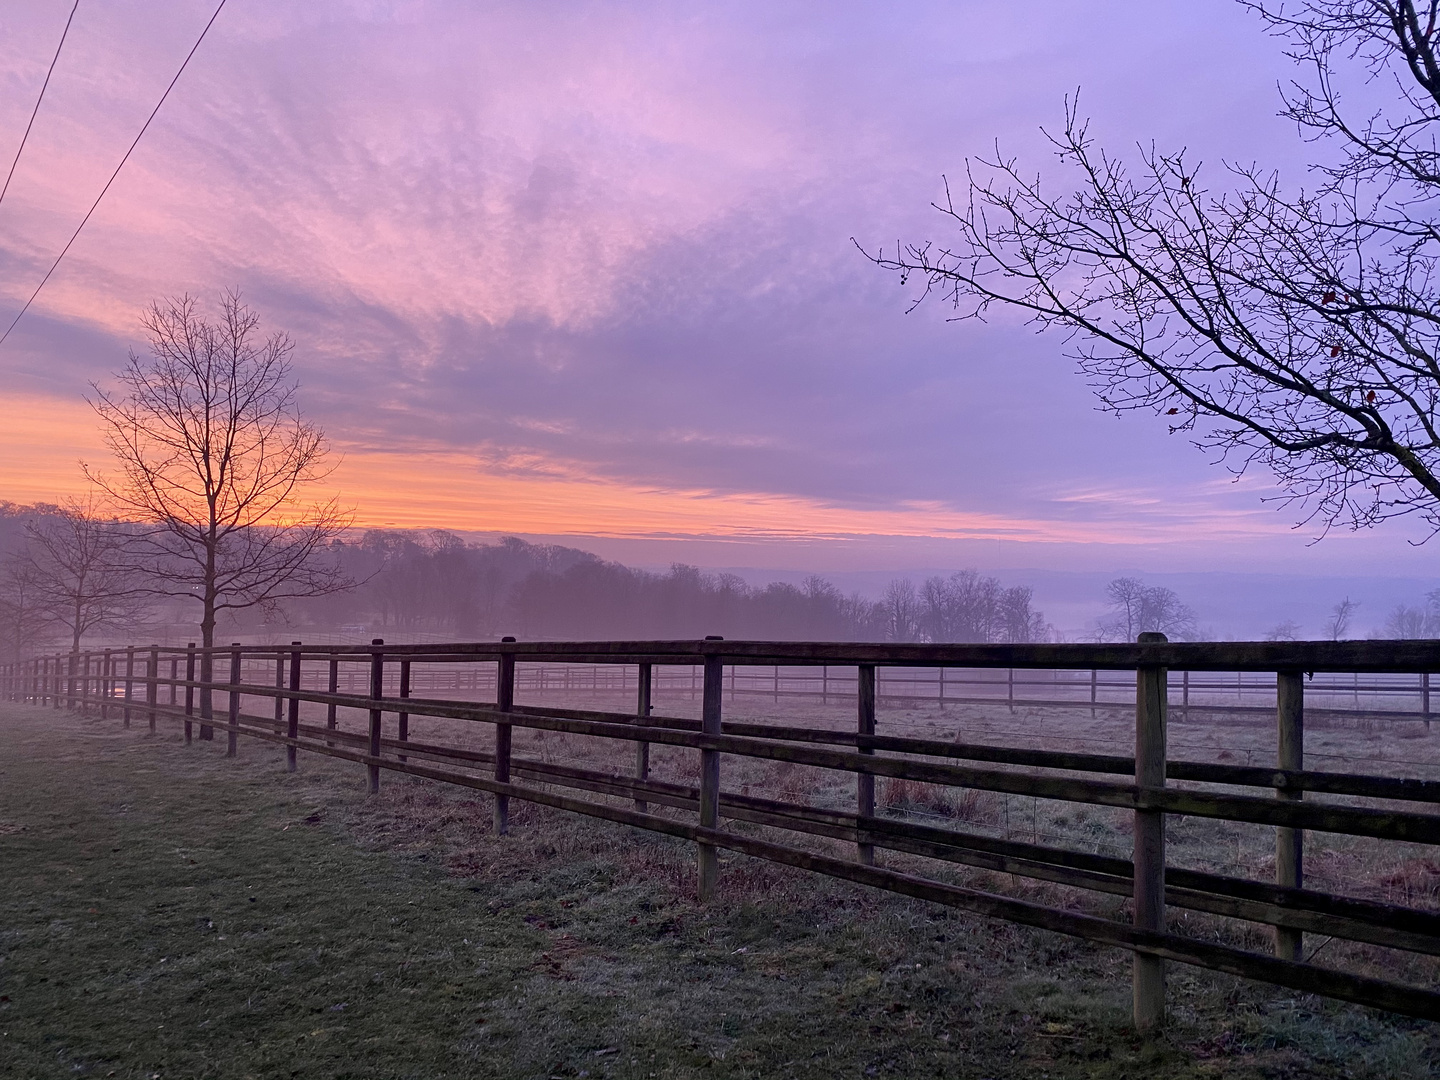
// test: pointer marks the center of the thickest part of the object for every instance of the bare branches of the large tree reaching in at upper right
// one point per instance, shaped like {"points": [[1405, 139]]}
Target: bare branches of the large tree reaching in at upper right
{"points": [[1298, 330]]}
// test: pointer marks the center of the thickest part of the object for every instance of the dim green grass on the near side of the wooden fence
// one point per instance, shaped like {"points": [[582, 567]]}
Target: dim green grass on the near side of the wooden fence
{"points": [[171, 914]]}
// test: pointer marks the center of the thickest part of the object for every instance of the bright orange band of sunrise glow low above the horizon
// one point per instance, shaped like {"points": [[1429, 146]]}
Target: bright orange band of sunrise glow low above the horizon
{"points": [[440, 489]]}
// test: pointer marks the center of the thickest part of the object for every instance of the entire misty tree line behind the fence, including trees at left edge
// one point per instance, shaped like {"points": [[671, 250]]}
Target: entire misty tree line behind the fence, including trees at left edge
{"points": [[66, 578]]}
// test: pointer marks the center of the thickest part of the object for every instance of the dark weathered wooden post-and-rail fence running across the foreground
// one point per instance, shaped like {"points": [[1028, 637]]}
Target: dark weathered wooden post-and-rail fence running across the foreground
{"points": [[162, 683]]}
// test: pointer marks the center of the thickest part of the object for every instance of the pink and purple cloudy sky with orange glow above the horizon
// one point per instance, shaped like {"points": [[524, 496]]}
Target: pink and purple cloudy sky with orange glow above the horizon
{"points": [[590, 273]]}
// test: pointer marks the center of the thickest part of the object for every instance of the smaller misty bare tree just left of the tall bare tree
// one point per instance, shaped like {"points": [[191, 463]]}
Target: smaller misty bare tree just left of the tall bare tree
{"points": [[80, 572]]}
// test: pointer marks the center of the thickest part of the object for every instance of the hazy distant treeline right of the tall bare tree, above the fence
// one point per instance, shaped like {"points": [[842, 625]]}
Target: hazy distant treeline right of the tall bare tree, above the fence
{"points": [[436, 582]]}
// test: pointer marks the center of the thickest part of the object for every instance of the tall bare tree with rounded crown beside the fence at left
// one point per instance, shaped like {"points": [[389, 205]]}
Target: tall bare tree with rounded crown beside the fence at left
{"points": [[214, 456]]}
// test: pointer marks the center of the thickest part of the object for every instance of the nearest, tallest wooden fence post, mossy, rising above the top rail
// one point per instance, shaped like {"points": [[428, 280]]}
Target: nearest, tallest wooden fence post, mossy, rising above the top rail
{"points": [[1150, 837]]}
